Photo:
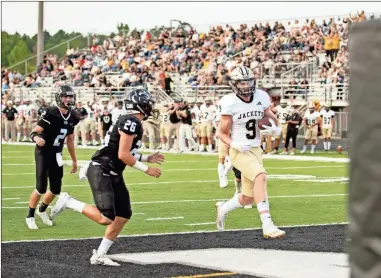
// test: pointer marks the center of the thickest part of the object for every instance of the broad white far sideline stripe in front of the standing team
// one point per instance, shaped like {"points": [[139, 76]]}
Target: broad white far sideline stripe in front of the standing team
{"points": [[276, 157]]}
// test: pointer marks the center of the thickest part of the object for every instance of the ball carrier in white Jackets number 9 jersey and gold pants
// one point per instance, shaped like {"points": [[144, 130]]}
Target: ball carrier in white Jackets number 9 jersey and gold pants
{"points": [[238, 129]]}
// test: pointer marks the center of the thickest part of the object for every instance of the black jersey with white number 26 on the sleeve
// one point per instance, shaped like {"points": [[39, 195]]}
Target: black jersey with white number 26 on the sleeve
{"points": [[107, 156]]}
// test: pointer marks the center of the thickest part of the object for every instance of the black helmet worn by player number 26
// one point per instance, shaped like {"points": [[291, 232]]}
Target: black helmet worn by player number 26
{"points": [[139, 101]]}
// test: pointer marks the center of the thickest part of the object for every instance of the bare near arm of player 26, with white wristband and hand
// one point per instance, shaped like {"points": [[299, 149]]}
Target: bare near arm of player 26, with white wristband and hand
{"points": [[125, 155]]}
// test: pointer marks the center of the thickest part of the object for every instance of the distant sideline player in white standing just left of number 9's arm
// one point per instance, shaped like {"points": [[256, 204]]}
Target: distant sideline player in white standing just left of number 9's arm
{"points": [[208, 113]]}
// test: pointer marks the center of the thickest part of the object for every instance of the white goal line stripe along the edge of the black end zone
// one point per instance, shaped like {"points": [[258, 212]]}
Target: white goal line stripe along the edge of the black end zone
{"points": [[178, 233]]}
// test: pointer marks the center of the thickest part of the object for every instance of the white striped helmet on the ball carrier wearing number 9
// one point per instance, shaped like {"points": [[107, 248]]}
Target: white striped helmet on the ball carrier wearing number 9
{"points": [[242, 81]]}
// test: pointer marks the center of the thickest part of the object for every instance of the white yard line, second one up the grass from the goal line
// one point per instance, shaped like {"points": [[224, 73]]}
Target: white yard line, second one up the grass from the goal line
{"points": [[285, 177]]}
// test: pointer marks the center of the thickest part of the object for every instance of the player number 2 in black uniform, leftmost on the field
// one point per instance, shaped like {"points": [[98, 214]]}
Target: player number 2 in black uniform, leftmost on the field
{"points": [[56, 124]]}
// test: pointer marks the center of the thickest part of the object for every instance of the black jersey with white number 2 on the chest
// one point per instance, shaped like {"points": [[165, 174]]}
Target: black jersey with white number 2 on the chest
{"points": [[56, 127]]}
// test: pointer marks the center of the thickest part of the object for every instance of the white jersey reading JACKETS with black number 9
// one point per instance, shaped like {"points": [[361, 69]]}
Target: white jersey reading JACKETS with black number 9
{"points": [[245, 116]]}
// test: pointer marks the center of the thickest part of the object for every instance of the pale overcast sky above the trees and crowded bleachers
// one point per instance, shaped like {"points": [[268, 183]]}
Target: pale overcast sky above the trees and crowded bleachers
{"points": [[103, 17]]}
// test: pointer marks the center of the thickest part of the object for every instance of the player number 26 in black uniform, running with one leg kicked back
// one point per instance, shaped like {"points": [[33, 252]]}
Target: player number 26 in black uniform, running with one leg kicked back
{"points": [[104, 172]]}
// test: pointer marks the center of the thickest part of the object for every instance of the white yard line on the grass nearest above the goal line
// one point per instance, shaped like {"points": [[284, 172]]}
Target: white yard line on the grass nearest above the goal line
{"points": [[213, 200]]}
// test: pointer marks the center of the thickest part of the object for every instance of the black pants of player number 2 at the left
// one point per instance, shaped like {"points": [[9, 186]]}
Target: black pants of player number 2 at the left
{"points": [[47, 168]]}
